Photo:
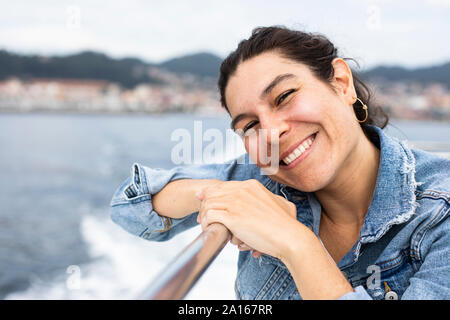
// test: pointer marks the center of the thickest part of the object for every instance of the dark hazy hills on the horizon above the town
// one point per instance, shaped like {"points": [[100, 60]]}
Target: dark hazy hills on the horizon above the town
{"points": [[129, 72]]}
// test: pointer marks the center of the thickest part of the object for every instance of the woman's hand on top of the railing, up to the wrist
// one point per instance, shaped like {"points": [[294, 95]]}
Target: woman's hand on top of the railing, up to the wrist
{"points": [[256, 217]]}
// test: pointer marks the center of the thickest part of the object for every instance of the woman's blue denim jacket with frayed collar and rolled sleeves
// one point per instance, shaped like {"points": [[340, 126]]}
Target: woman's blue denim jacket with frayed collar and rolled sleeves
{"points": [[403, 249]]}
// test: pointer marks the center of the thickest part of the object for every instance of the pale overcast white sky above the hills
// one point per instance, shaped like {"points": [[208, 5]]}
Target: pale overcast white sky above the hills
{"points": [[407, 33]]}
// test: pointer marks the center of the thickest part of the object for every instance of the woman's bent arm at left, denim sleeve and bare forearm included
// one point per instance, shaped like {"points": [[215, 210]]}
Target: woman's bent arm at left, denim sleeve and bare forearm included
{"points": [[133, 205]]}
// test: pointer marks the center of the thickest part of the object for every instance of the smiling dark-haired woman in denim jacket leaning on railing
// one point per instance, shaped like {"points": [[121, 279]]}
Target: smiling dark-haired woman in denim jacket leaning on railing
{"points": [[350, 213]]}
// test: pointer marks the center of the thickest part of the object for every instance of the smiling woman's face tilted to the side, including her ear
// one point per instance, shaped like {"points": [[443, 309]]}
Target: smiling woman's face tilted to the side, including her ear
{"points": [[283, 96]]}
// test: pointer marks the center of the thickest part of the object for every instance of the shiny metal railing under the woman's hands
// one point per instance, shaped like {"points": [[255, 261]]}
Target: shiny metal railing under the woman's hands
{"points": [[184, 271]]}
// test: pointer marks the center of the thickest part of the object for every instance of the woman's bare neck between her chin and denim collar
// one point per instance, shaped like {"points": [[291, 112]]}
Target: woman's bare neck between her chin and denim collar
{"points": [[346, 200]]}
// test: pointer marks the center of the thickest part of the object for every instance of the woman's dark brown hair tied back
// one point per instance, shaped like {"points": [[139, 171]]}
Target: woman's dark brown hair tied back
{"points": [[312, 49]]}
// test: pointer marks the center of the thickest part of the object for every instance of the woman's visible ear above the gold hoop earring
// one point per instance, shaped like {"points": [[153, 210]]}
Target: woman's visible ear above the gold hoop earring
{"points": [[343, 80]]}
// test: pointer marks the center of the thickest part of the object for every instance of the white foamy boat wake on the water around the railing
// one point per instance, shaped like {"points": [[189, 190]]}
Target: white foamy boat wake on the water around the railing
{"points": [[123, 265]]}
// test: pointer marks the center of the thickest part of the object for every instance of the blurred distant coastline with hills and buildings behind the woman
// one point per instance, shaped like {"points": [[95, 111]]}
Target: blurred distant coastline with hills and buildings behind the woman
{"points": [[92, 82]]}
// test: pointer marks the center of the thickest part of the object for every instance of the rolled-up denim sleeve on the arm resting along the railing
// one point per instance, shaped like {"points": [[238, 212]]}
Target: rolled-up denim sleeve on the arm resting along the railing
{"points": [[131, 205]]}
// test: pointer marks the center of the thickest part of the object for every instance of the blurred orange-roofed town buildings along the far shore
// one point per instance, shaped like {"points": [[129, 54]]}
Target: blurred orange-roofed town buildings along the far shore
{"points": [[186, 94]]}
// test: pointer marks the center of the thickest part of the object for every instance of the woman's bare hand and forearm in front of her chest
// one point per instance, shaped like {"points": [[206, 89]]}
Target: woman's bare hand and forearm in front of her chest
{"points": [[267, 223]]}
